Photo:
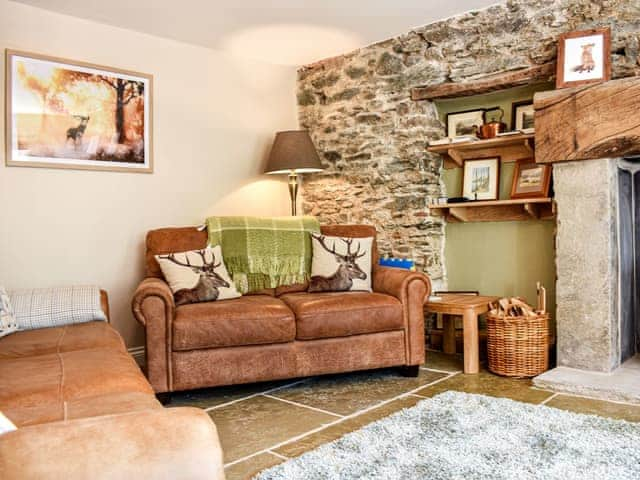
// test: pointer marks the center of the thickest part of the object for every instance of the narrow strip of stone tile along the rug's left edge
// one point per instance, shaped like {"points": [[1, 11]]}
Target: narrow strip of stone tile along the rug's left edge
{"points": [[348, 425]]}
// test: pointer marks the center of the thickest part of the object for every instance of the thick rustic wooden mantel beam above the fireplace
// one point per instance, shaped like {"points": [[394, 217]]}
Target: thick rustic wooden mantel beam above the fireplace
{"points": [[589, 122]]}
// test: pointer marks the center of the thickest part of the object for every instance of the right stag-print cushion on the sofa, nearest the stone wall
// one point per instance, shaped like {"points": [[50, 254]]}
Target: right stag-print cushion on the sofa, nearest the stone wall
{"points": [[340, 264]]}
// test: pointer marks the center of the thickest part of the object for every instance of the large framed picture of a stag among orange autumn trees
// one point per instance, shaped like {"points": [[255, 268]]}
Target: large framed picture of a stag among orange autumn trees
{"points": [[67, 114]]}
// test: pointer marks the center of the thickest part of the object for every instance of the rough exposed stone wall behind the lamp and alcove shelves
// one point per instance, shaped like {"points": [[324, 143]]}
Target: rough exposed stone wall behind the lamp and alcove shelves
{"points": [[372, 138]]}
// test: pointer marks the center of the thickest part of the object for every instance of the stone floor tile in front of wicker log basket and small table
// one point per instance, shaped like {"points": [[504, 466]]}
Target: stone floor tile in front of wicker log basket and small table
{"points": [[488, 384]]}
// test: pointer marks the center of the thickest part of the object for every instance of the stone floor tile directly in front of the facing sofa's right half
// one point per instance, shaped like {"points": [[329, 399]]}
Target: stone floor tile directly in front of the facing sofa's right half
{"points": [[345, 394]]}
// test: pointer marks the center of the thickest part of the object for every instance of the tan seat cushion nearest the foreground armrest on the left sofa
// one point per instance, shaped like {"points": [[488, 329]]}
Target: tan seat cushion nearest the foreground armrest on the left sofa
{"points": [[28, 383]]}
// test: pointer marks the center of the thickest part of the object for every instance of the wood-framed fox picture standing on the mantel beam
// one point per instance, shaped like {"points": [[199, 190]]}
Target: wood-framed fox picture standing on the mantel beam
{"points": [[584, 57]]}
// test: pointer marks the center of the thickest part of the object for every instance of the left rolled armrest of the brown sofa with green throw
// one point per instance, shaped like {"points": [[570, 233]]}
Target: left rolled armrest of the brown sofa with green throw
{"points": [[154, 307]]}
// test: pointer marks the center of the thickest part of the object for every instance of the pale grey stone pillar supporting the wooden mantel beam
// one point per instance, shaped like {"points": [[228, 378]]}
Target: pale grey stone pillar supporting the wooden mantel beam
{"points": [[587, 264]]}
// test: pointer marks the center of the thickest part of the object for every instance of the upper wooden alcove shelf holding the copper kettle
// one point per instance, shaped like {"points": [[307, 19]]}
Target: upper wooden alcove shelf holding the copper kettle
{"points": [[510, 148]]}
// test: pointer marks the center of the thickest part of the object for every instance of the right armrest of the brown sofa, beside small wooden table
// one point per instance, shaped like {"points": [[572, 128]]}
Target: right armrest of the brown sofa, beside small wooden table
{"points": [[412, 289]]}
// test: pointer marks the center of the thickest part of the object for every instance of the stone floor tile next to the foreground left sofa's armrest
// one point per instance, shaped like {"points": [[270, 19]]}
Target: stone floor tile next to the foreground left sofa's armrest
{"points": [[251, 425]]}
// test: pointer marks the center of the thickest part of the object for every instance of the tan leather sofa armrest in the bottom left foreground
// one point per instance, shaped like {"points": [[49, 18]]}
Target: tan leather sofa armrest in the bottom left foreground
{"points": [[176, 443]]}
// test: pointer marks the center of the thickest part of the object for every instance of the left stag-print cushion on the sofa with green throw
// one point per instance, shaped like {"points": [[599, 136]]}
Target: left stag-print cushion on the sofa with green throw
{"points": [[197, 276]]}
